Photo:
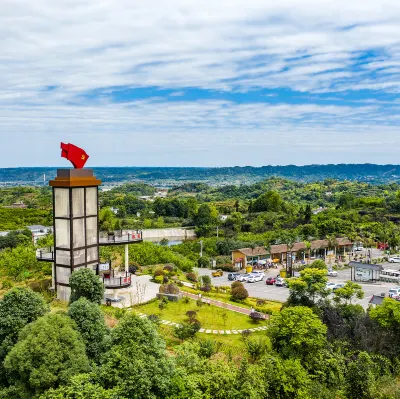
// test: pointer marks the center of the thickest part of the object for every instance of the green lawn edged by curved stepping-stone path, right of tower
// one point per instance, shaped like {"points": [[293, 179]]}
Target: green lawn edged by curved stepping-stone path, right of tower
{"points": [[210, 317]]}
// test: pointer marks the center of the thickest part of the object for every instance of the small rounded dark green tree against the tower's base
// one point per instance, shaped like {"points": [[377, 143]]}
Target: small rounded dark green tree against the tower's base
{"points": [[84, 283]]}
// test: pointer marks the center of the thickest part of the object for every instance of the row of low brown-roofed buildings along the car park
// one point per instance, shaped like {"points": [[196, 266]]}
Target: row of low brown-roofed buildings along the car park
{"points": [[319, 250]]}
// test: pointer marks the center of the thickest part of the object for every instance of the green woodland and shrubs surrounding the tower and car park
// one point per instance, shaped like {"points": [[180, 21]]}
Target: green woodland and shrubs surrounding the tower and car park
{"points": [[316, 344]]}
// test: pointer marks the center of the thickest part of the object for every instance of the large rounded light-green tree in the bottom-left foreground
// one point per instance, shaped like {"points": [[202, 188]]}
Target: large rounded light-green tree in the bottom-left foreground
{"points": [[49, 352]]}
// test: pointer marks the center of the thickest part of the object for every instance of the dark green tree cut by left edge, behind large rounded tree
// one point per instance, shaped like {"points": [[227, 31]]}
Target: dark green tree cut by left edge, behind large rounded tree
{"points": [[19, 307]]}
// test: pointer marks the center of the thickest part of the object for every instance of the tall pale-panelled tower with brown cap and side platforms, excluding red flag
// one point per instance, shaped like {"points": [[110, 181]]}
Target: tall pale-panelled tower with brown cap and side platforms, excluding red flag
{"points": [[76, 233]]}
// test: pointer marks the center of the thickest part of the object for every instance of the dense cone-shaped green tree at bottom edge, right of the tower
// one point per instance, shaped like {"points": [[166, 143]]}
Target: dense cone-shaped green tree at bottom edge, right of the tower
{"points": [[137, 364]]}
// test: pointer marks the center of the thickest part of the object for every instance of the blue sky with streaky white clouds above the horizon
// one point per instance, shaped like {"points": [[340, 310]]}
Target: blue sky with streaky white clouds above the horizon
{"points": [[200, 83]]}
